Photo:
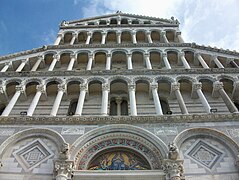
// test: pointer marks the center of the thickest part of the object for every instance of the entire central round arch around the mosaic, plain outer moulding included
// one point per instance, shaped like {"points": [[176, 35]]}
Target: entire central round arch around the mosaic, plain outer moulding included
{"points": [[126, 137]]}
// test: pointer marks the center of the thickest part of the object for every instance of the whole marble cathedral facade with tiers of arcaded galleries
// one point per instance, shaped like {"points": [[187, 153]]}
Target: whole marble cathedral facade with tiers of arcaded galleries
{"points": [[120, 96]]}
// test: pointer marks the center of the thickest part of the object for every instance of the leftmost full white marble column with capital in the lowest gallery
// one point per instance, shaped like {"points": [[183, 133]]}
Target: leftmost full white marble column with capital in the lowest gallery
{"points": [[19, 90]]}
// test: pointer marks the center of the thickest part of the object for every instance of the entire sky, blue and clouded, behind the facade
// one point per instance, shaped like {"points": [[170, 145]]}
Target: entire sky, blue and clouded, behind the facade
{"points": [[28, 24]]}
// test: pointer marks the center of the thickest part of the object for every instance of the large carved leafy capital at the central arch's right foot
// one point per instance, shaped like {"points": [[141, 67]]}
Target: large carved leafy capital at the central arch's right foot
{"points": [[173, 168]]}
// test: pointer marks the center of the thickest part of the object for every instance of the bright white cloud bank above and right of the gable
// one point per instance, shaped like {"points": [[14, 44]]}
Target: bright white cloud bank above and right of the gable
{"points": [[205, 22]]}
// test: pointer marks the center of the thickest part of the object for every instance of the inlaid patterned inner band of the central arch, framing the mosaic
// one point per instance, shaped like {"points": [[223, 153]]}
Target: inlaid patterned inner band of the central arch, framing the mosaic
{"points": [[118, 140]]}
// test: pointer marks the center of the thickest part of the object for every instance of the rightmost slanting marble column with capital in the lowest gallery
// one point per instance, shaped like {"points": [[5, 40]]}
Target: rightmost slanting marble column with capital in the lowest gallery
{"points": [[218, 86]]}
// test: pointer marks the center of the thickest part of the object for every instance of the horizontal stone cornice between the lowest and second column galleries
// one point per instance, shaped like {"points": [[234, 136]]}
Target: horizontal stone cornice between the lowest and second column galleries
{"points": [[182, 71]]}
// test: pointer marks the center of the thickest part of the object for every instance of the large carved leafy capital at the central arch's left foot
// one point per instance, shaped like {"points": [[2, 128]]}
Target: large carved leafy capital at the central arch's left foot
{"points": [[63, 169]]}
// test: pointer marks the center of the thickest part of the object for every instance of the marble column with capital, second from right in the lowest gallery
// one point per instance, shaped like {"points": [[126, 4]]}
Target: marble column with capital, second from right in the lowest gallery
{"points": [[198, 88]]}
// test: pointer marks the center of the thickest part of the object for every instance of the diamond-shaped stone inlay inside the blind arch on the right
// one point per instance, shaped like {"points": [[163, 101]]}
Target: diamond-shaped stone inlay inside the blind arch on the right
{"points": [[204, 154]]}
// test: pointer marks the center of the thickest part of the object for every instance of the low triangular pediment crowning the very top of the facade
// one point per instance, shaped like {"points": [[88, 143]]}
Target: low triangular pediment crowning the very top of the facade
{"points": [[101, 20]]}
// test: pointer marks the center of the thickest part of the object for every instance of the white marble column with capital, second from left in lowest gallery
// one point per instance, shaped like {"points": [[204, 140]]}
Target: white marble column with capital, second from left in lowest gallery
{"points": [[40, 89]]}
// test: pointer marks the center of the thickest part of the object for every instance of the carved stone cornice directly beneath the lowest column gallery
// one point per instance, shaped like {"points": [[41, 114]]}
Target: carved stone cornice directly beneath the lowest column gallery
{"points": [[93, 120]]}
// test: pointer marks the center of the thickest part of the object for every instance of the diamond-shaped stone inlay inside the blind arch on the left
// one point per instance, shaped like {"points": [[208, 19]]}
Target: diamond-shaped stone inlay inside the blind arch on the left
{"points": [[33, 154]]}
